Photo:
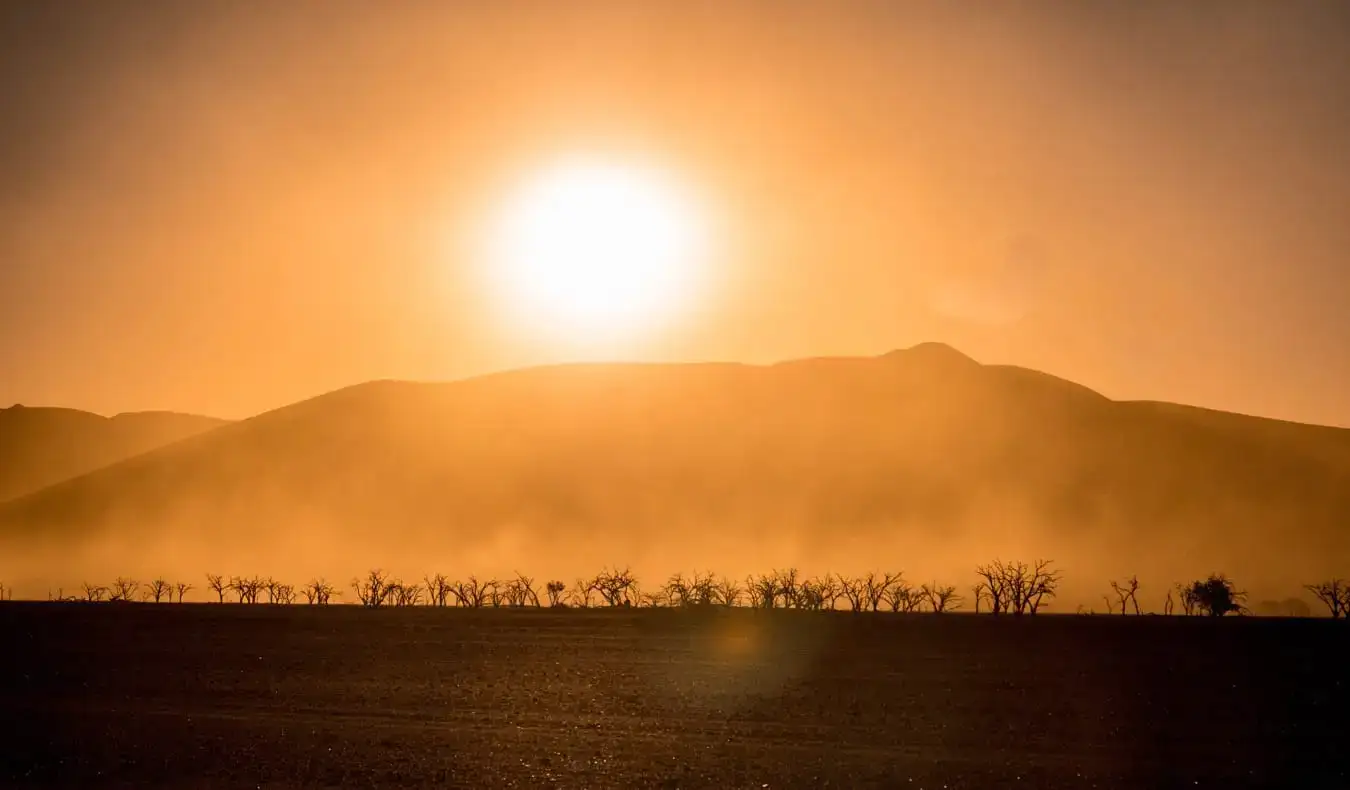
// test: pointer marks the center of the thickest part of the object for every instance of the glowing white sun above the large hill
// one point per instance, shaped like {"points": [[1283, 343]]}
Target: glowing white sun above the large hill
{"points": [[589, 252]]}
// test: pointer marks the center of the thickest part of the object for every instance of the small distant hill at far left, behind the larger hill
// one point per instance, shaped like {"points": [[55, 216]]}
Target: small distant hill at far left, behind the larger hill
{"points": [[43, 446]]}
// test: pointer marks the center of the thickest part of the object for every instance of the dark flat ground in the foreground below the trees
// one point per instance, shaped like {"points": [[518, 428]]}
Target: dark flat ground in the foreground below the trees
{"points": [[191, 696]]}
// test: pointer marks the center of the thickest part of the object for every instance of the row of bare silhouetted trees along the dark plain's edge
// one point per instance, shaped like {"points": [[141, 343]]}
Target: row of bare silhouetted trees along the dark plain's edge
{"points": [[1016, 588]]}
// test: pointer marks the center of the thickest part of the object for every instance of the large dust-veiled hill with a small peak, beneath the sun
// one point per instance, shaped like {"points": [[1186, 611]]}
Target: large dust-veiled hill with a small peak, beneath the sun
{"points": [[921, 460]]}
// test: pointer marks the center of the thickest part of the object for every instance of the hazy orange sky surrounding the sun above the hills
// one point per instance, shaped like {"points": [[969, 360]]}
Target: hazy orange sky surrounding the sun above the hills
{"points": [[225, 207]]}
